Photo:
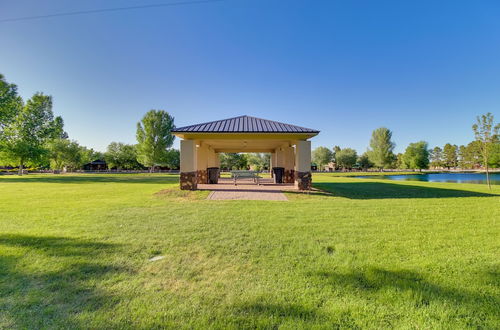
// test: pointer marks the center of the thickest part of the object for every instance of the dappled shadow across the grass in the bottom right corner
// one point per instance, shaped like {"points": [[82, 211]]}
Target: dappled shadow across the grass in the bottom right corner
{"points": [[411, 288]]}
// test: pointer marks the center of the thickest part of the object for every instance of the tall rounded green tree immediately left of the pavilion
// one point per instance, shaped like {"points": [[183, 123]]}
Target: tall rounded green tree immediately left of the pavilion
{"points": [[154, 138]]}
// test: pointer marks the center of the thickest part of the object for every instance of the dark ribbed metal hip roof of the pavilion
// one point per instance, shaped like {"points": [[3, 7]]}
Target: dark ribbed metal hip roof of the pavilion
{"points": [[244, 124]]}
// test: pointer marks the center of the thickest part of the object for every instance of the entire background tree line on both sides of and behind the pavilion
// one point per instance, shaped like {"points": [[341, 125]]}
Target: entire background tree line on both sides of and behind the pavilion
{"points": [[31, 136]]}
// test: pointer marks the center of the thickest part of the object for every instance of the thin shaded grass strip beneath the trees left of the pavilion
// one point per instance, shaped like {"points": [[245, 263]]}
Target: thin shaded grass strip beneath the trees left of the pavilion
{"points": [[93, 178]]}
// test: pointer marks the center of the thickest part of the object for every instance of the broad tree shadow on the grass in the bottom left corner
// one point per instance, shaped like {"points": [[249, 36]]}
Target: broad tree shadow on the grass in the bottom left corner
{"points": [[34, 297]]}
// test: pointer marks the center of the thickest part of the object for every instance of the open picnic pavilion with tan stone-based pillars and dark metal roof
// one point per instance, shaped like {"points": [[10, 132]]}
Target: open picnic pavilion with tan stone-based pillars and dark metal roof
{"points": [[202, 143]]}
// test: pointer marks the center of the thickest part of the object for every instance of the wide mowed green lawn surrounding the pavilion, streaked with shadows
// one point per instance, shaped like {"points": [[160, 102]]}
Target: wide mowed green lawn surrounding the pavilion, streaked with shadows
{"points": [[363, 253]]}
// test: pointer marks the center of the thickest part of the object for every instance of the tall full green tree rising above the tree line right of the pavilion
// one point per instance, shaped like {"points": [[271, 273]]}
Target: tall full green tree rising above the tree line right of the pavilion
{"points": [[381, 148]]}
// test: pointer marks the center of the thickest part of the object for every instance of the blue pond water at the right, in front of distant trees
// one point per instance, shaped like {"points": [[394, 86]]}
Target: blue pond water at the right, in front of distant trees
{"points": [[440, 177]]}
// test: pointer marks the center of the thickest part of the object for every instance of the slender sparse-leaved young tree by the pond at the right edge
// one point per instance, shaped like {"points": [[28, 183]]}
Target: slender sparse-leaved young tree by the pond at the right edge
{"points": [[486, 134]]}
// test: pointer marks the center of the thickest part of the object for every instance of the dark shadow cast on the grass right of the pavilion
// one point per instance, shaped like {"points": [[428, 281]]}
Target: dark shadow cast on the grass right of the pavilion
{"points": [[379, 190]]}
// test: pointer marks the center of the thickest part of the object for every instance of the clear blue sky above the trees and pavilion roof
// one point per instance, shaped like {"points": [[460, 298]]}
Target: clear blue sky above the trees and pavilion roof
{"points": [[424, 69]]}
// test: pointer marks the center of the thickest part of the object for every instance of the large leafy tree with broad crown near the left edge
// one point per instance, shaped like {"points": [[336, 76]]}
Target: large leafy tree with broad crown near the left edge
{"points": [[25, 137]]}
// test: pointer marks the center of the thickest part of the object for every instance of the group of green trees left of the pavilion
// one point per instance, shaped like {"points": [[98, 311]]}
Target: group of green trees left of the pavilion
{"points": [[31, 136]]}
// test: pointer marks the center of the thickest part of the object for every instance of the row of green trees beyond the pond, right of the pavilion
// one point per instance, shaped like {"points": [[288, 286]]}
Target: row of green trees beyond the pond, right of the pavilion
{"points": [[483, 152]]}
